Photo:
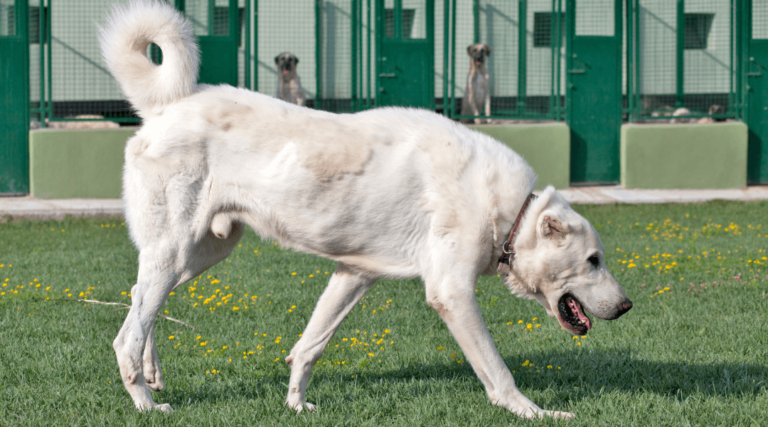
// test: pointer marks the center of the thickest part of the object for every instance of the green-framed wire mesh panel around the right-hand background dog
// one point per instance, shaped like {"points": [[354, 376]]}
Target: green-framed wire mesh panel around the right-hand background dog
{"points": [[527, 42]]}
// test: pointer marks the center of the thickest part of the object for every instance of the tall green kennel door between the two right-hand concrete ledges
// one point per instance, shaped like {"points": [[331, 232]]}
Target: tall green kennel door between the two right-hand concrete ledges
{"points": [[593, 57]]}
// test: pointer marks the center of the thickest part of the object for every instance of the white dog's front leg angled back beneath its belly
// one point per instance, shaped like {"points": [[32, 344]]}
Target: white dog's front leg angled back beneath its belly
{"points": [[344, 290]]}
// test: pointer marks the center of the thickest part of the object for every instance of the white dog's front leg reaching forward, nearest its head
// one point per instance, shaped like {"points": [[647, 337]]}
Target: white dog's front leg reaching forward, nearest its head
{"points": [[455, 301]]}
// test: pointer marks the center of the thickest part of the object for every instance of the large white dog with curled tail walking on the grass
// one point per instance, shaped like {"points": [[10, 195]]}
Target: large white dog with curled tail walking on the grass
{"points": [[387, 193]]}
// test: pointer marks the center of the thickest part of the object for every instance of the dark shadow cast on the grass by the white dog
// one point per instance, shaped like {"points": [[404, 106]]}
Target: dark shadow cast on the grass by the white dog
{"points": [[583, 375]]}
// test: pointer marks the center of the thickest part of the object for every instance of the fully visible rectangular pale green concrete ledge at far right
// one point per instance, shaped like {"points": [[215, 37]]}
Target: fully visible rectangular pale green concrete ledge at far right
{"points": [[677, 156]]}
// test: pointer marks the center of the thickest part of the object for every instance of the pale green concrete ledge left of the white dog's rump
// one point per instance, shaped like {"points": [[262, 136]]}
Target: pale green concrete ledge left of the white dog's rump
{"points": [[66, 164]]}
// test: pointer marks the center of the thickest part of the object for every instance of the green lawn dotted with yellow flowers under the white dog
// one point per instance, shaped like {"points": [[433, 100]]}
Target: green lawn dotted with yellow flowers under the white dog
{"points": [[679, 357]]}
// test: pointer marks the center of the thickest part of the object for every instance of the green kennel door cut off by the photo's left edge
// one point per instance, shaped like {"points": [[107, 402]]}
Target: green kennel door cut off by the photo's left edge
{"points": [[14, 97]]}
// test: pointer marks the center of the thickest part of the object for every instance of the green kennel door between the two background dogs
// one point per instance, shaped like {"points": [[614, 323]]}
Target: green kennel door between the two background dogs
{"points": [[405, 54]]}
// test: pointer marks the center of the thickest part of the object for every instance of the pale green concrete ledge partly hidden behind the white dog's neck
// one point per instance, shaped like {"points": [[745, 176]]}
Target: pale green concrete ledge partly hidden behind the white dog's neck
{"points": [[546, 147]]}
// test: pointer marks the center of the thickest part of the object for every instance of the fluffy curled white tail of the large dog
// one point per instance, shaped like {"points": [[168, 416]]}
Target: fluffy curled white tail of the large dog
{"points": [[124, 39]]}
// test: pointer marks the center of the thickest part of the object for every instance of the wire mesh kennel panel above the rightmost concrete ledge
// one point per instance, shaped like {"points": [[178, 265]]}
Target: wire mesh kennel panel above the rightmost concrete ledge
{"points": [[684, 56]]}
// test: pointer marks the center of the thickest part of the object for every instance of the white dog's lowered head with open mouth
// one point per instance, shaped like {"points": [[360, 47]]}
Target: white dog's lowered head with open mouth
{"points": [[560, 262]]}
